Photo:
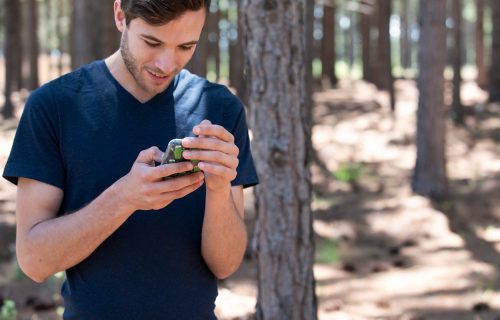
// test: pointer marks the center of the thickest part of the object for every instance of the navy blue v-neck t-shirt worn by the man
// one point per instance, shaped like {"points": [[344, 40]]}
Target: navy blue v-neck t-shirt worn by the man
{"points": [[81, 133]]}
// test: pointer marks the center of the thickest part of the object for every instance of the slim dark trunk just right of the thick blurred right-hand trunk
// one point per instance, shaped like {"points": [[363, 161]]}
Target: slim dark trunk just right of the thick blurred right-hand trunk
{"points": [[457, 108]]}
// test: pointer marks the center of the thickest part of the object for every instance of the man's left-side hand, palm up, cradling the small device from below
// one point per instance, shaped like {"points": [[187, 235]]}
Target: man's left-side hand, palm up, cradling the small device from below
{"points": [[144, 188]]}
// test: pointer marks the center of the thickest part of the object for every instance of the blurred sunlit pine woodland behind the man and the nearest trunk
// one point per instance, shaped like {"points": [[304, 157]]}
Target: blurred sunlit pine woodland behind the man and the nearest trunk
{"points": [[404, 155]]}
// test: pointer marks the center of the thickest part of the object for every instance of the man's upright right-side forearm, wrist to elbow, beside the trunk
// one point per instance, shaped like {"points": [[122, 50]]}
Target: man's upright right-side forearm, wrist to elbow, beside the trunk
{"points": [[224, 236]]}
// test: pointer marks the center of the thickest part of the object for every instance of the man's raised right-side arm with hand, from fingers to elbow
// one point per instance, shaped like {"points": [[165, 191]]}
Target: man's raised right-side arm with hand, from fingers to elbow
{"points": [[224, 236]]}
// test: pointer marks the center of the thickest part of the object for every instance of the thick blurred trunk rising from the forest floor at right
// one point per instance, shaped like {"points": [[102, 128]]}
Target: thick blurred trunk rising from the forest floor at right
{"points": [[429, 177]]}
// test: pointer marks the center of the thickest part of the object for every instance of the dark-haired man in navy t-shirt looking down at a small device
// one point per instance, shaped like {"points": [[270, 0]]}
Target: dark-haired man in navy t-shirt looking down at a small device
{"points": [[92, 202]]}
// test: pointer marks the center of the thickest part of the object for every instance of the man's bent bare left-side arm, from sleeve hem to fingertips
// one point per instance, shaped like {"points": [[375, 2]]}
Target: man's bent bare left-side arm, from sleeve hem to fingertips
{"points": [[47, 244]]}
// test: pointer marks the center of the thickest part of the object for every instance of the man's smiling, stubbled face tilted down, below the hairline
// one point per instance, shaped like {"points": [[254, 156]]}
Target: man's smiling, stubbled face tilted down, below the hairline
{"points": [[155, 54]]}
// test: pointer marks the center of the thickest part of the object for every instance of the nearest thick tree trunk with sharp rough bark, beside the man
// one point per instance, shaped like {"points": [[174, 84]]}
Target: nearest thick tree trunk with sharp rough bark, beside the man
{"points": [[283, 238]]}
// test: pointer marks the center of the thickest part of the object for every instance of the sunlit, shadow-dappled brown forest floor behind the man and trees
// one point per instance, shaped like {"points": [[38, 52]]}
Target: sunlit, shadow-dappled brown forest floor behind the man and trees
{"points": [[382, 252]]}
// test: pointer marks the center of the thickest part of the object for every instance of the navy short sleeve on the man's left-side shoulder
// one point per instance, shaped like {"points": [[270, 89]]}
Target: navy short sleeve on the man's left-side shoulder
{"points": [[35, 152]]}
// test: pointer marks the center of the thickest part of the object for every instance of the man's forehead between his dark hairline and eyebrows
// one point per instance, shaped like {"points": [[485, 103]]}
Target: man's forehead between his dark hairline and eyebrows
{"points": [[186, 27]]}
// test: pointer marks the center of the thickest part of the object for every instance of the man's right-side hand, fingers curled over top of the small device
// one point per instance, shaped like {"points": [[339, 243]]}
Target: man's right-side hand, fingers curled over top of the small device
{"points": [[216, 152]]}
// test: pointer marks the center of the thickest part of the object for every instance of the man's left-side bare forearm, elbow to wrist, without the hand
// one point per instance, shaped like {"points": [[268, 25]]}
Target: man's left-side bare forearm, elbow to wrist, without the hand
{"points": [[57, 244]]}
